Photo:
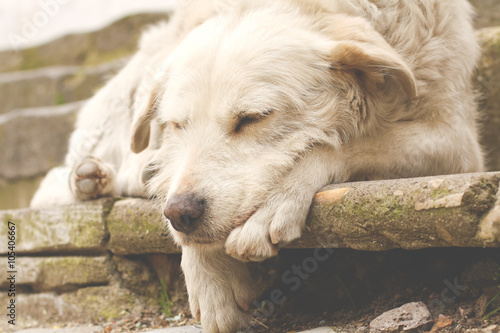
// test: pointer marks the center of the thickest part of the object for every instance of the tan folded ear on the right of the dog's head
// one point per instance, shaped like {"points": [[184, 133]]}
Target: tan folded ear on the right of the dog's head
{"points": [[370, 65]]}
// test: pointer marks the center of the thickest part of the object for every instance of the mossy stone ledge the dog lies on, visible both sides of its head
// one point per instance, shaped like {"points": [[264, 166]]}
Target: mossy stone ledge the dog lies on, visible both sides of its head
{"points": [[415, 213]]}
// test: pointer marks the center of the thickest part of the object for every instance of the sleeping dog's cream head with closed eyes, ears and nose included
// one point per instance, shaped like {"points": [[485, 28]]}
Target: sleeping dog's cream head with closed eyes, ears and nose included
{"points": [[248, 94]]}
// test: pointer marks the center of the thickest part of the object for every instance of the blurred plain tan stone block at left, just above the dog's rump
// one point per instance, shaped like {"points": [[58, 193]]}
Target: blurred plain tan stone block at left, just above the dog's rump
{"points": [[32, 141]]}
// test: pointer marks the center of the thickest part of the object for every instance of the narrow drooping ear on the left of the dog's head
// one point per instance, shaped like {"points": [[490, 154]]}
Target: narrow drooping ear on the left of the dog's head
{"points": [[141, 125]]}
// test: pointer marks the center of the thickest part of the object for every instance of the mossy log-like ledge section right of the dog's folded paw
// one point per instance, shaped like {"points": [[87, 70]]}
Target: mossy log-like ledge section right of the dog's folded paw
{"points": [[415, 213]]}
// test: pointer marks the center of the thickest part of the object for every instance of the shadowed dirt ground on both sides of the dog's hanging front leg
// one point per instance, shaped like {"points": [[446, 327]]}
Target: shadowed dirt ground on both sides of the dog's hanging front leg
{"points": [[350, 288]]}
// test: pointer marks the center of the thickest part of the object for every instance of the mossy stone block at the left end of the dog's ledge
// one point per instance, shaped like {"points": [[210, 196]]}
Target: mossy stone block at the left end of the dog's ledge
{"points": [[66, 229]]}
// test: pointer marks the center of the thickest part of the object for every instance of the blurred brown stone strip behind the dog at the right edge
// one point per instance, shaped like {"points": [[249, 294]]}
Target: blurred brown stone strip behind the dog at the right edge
{"points": [[487, 79]]}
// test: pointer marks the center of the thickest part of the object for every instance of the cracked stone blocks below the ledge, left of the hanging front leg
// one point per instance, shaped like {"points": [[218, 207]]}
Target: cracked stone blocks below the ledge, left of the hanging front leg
{"points": [[88, 289]]}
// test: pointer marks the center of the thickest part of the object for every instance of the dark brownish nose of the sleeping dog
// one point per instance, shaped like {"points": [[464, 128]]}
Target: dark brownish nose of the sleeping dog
{"points": [[184, 210]]}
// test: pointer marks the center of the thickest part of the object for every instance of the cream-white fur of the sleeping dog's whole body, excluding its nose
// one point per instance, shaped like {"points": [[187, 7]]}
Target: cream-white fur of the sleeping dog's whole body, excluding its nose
{"points": [[253, 105]]}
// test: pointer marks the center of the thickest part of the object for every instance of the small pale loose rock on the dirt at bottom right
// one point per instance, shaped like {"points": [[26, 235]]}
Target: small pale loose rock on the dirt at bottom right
{"points": [[407, 317]]}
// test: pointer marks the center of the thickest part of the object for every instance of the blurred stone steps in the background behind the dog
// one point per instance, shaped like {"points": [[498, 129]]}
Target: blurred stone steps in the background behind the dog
{"points": [[55, 54]]}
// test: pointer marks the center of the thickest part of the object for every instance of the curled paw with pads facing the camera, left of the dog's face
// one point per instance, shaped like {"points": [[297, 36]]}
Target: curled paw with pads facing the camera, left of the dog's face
{"points": [[91, 179]]}
